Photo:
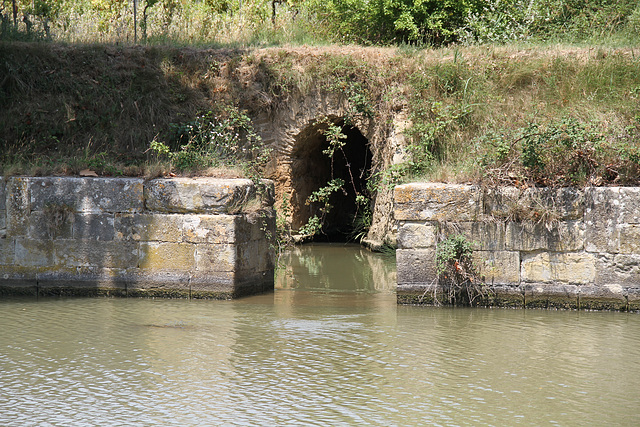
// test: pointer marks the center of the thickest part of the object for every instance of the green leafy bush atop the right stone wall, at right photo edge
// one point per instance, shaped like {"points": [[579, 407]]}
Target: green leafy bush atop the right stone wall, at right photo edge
{"points": [[561, 152]]}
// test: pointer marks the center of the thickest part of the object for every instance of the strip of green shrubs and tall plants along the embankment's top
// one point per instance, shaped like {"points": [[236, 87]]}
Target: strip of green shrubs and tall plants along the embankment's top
{"points": [[366, 22]]}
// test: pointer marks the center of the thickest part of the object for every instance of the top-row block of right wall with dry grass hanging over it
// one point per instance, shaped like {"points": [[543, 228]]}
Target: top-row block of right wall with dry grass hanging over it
{"points": [[514, 204]]}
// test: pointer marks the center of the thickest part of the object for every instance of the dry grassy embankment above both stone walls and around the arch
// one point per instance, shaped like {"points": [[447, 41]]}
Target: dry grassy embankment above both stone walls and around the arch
{"points": [[544, 115]]}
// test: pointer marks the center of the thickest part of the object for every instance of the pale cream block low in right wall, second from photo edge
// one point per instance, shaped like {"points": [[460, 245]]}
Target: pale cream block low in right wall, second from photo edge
{"points": [[545, 267]]}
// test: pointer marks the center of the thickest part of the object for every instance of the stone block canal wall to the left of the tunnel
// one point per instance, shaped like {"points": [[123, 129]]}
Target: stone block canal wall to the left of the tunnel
{"points": [[178, 237]]}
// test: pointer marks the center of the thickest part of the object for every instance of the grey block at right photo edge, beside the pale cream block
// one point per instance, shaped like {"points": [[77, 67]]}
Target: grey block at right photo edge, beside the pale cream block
{"points": [[618, 269]]}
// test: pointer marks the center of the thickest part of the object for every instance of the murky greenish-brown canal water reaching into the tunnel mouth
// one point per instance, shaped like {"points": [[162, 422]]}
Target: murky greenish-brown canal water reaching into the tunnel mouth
{"points": [[329, 347]]}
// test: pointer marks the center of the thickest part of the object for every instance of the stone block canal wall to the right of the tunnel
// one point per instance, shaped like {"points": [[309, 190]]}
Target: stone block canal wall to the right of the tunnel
{"points": [[565, 247]]}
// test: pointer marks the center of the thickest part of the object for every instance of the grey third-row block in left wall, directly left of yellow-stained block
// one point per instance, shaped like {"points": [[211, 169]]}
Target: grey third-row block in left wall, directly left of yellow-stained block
{"points": [[98, 254]]}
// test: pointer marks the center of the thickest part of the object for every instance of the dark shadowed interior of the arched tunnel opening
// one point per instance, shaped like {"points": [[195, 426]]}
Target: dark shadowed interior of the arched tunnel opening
{"points": [[311, 169]]}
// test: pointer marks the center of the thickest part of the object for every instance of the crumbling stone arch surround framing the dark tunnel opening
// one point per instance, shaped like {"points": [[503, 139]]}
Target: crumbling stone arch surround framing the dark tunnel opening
{"points": [[298, 166]]}
